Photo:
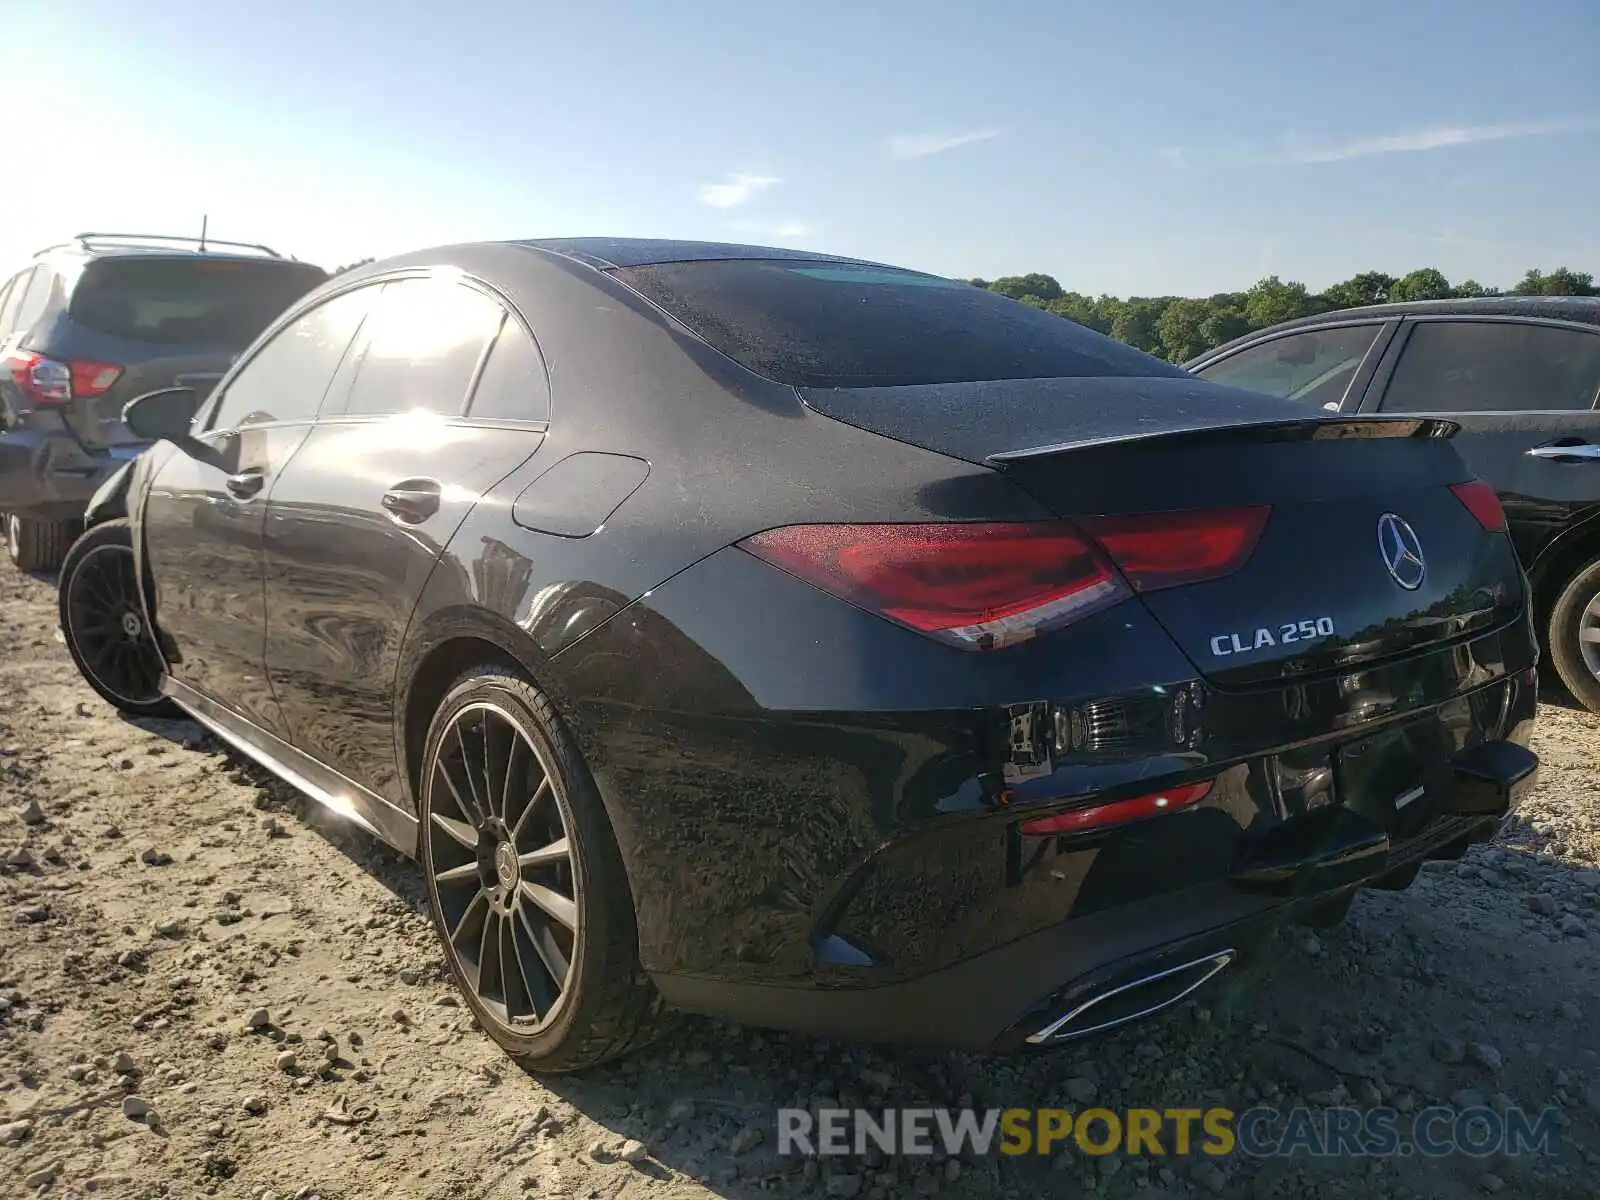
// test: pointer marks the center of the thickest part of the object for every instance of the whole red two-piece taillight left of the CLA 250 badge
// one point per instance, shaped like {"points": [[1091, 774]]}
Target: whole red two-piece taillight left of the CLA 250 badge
{"points": [[986, 586]]}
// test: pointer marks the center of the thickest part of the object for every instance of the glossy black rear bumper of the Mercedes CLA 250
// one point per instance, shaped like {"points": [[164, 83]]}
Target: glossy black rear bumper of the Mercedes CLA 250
{"points": [[825, 817]]}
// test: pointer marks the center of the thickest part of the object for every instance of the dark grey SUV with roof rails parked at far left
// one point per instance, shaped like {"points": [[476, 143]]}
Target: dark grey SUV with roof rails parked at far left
{"points": [[94, 322]]}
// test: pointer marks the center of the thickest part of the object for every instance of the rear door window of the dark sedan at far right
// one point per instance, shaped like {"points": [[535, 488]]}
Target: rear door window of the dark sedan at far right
{"points": [[1484, 367]]}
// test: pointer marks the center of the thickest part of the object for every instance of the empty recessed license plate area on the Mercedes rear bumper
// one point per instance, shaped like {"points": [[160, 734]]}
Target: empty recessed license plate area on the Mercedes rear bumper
{"points": [[1398, 778]]}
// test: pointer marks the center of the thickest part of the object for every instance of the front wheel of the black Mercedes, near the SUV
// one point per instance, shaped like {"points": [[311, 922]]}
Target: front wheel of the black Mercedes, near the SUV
{"points": [[103, 623]]}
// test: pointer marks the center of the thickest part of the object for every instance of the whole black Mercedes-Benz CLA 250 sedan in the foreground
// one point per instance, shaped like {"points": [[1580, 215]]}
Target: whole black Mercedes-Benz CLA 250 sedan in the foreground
{"points": [[812, 642]]}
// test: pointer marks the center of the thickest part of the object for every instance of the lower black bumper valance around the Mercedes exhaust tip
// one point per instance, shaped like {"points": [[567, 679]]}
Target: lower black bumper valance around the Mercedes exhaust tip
{"points": [[1015, 998]]}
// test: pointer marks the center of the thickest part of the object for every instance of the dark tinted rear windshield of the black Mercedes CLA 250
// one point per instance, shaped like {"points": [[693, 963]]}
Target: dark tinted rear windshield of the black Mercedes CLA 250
{"points": [[842, 326]]}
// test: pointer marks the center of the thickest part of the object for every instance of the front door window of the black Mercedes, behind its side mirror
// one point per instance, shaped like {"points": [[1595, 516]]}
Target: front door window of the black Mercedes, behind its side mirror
{"points": [[287, 378]]}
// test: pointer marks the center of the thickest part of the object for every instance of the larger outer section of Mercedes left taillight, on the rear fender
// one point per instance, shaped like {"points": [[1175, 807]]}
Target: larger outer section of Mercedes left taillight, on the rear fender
{"points": [[977, 586]]}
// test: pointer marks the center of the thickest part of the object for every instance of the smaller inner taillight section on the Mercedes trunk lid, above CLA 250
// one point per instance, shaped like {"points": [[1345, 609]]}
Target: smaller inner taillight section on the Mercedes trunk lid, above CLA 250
{"points": [[1167, 550]]}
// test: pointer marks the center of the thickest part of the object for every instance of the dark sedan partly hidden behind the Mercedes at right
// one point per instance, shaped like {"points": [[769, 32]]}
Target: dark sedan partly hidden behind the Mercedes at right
{"points": [[1521, 377]]}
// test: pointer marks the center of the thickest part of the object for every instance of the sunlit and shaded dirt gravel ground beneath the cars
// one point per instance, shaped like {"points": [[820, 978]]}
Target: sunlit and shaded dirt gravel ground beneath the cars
{"points": [[212, 988]]}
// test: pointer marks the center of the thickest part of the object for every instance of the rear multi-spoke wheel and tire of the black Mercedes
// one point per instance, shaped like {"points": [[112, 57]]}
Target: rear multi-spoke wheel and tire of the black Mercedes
{"points": [[526, 881]]}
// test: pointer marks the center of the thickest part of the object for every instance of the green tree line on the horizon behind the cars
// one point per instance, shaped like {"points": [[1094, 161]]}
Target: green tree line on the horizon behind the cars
{"points": [[1182, 327]]}
